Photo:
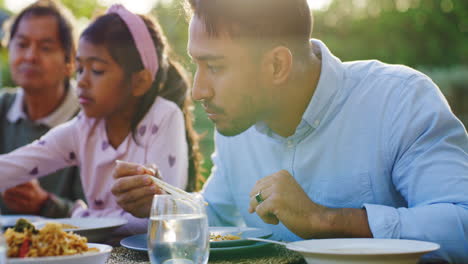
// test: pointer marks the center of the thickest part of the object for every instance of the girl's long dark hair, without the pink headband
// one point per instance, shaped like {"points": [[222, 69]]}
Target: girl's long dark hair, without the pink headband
{"points": [[171, 81]]}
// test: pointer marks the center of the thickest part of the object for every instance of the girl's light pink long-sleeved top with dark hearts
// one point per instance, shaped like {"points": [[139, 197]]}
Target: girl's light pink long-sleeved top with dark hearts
{"points": [[83, 141]]}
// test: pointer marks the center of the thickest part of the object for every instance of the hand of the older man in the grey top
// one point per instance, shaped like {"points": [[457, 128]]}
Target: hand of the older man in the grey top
{"points": [[26, 198]]}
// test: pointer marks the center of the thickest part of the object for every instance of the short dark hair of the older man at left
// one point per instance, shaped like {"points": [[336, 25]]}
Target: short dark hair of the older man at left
{"points": [[63, 17]]}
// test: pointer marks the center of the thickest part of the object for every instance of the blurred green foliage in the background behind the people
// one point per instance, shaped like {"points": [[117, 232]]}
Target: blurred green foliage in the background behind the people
{"points": [[429, 35]]}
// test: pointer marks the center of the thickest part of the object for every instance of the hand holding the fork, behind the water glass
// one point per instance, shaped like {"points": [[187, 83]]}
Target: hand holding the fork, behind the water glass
{"points": [[133, 187]]}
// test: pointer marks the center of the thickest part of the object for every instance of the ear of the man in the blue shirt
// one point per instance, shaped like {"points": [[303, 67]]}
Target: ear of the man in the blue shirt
{"points": [[278, 62]]}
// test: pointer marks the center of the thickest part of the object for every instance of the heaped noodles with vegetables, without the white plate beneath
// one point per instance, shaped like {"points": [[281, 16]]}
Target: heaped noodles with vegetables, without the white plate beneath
{"points": [[24, 240]]}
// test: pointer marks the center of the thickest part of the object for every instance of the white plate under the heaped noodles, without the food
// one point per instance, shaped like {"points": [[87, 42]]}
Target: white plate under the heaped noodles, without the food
{"points": [[88, 258]]}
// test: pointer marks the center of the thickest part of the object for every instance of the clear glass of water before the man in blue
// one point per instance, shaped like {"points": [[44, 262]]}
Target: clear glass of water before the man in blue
{"points": [[178, 230]]}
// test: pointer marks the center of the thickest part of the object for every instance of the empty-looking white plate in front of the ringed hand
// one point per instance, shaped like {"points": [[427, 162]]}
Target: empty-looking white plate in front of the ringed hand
{"points": [[362, 250]]}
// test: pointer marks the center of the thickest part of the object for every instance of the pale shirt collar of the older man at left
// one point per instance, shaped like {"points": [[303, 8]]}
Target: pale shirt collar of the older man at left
{"points": [[63, 113]]}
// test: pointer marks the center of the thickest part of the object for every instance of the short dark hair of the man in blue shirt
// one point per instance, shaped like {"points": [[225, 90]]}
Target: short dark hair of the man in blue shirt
{"points": [[277, 22]]}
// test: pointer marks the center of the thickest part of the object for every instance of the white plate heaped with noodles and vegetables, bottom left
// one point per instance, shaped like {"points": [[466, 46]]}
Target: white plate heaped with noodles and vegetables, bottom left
{"points": [[52, 245]]}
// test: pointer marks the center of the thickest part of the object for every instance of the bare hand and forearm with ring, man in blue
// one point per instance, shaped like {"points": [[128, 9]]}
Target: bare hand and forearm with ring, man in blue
{"points": [[285, 201]]}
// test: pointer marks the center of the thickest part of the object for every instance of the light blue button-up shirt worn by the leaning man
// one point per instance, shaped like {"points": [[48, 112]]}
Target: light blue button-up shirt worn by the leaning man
{"points": [[374, 135]]}
